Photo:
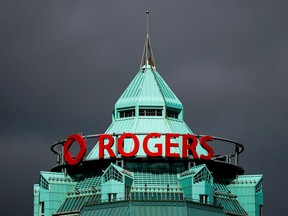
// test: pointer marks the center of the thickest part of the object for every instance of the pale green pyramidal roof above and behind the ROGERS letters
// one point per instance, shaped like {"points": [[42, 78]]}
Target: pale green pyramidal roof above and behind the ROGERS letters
{"points": [[147, 105]]}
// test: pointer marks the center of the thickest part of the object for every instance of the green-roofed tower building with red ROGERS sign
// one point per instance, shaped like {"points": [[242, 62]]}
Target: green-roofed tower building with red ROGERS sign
{"points": [[148, 162]]}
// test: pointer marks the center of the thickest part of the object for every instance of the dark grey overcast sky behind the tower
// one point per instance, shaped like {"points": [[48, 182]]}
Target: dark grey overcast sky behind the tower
{"points": [[63, 65]]}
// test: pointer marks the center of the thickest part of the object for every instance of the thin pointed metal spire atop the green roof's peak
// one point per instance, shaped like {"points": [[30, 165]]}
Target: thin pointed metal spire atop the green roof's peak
{"points": [[147, 56]]}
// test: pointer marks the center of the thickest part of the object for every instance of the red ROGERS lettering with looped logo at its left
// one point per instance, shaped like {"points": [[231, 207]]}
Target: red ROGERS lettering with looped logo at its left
{"points": [[106, 143]]}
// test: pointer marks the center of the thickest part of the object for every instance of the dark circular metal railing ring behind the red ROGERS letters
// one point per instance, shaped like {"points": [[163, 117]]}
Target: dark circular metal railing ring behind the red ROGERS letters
{"points": [[231, 157]]}
